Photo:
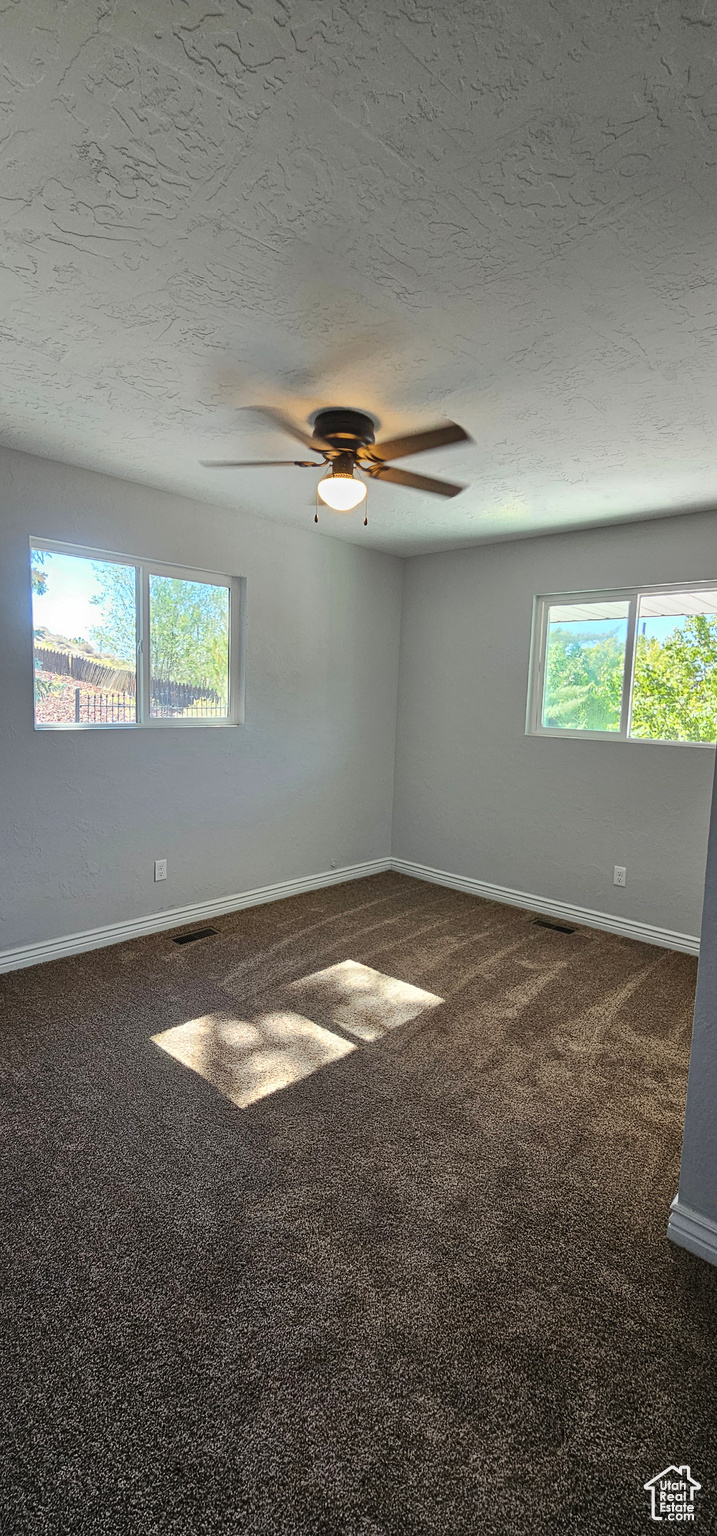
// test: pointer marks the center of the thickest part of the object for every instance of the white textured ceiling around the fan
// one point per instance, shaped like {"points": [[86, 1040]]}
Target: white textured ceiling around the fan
{"points": [[503, 213]]}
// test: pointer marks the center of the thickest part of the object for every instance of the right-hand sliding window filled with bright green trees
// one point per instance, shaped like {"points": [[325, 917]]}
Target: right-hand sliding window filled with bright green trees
{"points": [[627, 666]]}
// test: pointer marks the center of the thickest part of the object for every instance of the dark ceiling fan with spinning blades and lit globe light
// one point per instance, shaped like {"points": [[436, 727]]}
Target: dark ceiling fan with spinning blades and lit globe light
{"points": [[346, 442]]}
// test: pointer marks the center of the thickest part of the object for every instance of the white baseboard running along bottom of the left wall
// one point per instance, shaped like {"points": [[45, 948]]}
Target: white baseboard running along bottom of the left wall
{"points": [[180, 916]]}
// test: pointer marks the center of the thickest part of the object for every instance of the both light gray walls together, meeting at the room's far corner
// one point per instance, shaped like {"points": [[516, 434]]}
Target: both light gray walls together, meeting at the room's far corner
{"points": [[308, 783]]}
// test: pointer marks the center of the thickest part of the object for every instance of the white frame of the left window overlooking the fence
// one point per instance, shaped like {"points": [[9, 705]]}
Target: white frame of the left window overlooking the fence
{"points": [[147, 569]]}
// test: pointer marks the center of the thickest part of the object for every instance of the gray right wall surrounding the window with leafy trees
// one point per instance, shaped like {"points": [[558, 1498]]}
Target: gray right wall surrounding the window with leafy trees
{"points": [[478, 798]]}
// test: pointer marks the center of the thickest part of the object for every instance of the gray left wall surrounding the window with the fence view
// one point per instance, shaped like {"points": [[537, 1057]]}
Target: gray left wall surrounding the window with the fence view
{"points": [[305, 784]]}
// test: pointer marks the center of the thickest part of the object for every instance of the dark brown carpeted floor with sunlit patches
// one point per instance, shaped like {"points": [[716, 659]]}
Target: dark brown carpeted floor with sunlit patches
{"points": [[351, 1222]]}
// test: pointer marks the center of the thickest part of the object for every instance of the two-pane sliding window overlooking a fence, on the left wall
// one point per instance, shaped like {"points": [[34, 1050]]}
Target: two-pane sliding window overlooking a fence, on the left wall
{"points": [[119, 643]]}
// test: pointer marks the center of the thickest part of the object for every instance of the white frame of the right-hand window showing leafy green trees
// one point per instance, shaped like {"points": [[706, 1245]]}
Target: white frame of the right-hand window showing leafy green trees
{"points": [[537, 670]]}
